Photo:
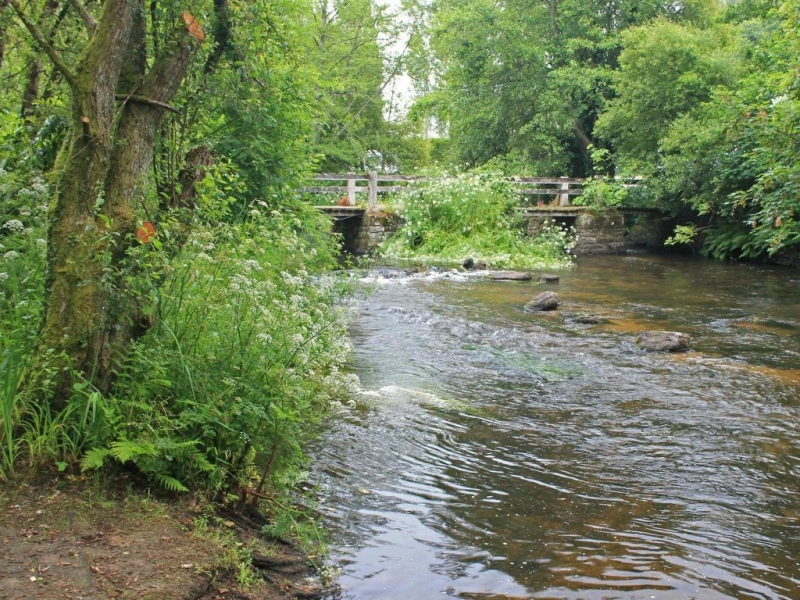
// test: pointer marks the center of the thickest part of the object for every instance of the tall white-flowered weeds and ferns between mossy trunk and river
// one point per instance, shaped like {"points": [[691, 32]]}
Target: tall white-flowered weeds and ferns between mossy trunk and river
{"points": [[244, 356]]}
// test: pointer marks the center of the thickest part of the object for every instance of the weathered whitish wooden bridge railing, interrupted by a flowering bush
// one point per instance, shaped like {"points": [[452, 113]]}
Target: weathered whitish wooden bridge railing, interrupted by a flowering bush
{"points": [[346, 186]]}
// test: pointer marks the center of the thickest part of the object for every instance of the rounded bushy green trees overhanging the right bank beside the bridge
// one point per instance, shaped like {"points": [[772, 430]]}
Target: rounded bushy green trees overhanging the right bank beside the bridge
{"points": [[712, 115]]}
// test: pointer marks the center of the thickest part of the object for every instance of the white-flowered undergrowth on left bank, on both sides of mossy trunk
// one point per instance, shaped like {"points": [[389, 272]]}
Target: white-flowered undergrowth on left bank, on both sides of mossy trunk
{"points": [[243, 359]]}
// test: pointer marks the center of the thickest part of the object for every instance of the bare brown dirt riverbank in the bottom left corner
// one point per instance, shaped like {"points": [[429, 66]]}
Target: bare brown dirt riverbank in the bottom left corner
{"points": [[74, 538]]}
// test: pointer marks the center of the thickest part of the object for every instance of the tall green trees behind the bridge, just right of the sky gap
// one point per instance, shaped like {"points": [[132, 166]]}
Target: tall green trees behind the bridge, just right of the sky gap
{"points": [[528, 78]]}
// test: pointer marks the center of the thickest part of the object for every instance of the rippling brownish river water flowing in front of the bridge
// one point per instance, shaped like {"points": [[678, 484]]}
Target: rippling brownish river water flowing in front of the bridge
{"points": [[494, 453]]}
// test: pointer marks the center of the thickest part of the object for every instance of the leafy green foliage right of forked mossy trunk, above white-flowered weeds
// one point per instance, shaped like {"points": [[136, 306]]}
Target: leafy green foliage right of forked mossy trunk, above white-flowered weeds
{"points": [[261, 122]]}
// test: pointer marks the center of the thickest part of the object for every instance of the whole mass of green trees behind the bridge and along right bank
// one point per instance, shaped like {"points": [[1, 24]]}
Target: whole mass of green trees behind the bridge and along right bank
{"points": [[701, 96]]}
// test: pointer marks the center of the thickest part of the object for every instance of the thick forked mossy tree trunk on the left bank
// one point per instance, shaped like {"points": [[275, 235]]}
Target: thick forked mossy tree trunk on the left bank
{"points": [[91, 317]]}
